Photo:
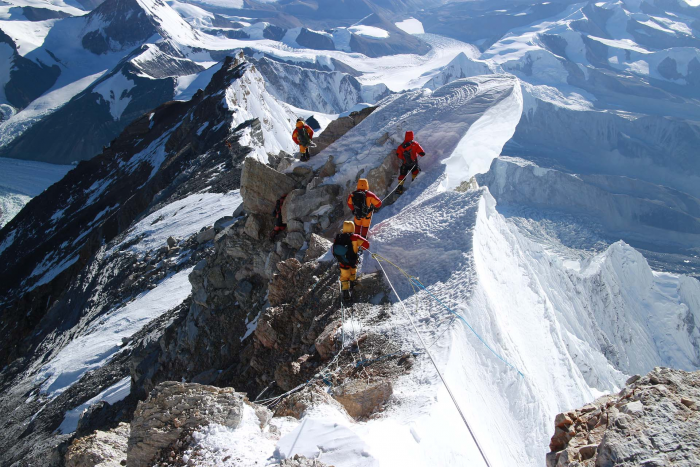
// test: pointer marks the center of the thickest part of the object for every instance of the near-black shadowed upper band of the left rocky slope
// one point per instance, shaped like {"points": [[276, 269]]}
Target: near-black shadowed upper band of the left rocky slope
{"points": [[127, 181]]}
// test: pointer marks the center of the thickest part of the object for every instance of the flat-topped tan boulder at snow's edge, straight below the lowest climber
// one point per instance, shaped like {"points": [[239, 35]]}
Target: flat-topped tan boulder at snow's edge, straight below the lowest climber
{"points": [[361, 399]]}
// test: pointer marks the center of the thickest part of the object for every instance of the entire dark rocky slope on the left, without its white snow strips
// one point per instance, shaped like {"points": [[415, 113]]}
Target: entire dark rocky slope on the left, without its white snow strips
{"points": [[44, 318]]}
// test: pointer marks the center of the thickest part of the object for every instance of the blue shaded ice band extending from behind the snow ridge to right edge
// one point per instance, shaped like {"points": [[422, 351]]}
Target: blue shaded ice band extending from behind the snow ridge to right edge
{"points": [[626, 208]]}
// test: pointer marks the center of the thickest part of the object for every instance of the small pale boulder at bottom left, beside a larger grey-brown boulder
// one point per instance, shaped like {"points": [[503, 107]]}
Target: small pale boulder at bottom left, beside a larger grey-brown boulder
{"points": [[100, 449]]}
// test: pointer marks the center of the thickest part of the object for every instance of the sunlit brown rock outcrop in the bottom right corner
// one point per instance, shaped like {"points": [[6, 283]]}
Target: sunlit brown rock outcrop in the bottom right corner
{"points": [[653, 422]]}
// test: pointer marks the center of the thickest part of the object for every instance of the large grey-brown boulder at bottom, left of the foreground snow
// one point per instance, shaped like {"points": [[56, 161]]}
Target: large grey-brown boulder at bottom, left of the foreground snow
{"points": [[174, 409]]}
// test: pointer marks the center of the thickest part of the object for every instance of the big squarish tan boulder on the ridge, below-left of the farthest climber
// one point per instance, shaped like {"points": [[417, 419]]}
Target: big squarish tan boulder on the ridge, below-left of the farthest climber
{"points": [[262, 186]]}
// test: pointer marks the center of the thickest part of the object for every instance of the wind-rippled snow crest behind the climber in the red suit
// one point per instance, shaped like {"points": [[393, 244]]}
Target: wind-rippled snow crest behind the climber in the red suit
{"points": [[440, 120]]}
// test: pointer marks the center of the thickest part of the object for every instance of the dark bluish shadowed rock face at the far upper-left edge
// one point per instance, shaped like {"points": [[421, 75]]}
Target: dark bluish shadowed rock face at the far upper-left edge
{"points": [[28, 79]]}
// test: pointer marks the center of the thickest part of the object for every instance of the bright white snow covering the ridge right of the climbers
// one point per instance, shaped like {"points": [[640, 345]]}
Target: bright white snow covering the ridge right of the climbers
{"points": [[573, 333]]}
